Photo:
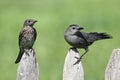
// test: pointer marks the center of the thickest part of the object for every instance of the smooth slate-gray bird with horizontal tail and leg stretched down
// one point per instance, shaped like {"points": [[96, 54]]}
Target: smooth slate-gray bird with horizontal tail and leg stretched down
{"points": [[78, 39]]}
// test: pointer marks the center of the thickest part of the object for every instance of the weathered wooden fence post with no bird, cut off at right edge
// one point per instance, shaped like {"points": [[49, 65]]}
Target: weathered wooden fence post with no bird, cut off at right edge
{"points": [[113, 68]]}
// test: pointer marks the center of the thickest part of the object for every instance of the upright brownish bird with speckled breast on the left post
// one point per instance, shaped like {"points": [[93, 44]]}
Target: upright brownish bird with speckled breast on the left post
{"points": [[27, 37]]}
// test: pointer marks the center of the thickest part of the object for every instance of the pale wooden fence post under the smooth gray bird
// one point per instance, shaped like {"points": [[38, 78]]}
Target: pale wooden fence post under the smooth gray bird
{"points": [[70, 71]]}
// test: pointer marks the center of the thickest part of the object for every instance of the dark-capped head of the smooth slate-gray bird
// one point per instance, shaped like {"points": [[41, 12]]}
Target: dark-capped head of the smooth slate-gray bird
{"points": [[74, 28]]}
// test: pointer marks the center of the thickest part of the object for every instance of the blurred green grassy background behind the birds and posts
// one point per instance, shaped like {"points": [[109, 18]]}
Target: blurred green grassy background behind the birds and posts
{"points": [[53, 17]]}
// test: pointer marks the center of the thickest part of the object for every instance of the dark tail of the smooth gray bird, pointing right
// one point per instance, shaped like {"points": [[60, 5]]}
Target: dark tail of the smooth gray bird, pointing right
{"points": [[100, 36]]}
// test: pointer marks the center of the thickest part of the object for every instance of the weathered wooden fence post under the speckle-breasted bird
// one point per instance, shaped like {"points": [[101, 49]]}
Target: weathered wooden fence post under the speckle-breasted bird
{"points": [[28, 66]]}
